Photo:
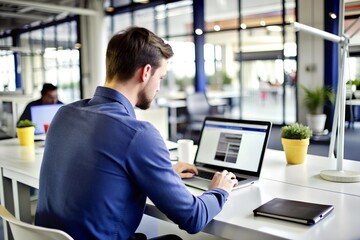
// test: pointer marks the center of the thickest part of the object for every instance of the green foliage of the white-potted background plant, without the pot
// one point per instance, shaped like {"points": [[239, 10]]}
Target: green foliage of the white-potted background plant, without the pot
{"points": [[315, 99]]}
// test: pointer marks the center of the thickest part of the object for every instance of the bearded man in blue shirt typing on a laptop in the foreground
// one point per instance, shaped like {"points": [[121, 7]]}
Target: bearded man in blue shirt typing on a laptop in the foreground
{"points": [[100, 163]]}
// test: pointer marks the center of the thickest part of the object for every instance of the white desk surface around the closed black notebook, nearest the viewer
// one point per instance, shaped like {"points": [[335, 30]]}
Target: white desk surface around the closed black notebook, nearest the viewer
{"points": [[236, 220]]}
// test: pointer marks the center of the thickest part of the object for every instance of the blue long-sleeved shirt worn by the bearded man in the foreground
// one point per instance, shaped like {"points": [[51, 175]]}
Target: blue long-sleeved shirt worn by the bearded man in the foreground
{"points": [[100, 164]]}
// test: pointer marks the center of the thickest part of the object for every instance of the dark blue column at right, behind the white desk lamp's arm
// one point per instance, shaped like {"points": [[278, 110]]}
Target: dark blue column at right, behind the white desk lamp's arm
{"points": [[331, 54]]}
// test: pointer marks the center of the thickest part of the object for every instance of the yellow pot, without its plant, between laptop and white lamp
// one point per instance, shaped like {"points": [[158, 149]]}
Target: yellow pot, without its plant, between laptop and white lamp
{"points": [[295, 150]]}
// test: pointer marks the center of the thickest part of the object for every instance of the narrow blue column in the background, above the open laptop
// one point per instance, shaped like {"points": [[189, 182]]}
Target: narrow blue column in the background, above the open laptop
{"points": [[199, 41]]}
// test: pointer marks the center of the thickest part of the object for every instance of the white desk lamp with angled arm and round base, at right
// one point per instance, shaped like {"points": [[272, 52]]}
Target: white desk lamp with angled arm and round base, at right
{"points": [[338, 175]]}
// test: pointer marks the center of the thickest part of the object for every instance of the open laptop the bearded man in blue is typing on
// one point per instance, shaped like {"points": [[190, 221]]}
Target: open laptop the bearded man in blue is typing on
{"points": [[235, 145]]}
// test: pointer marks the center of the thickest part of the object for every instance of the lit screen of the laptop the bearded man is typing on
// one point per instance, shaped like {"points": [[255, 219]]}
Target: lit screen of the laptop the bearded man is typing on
{"points": [[233, 144]]}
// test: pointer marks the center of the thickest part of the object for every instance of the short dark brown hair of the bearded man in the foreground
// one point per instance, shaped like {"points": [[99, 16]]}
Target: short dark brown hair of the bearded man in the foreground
{"points": [[134, 48]]}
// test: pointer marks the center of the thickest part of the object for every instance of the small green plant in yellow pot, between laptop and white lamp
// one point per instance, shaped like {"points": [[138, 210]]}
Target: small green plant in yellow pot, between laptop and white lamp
{"points": [[295, 139]]}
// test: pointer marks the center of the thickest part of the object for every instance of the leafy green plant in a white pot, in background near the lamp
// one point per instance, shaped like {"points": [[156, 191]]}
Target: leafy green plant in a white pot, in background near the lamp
{"points": [[314, 100]]}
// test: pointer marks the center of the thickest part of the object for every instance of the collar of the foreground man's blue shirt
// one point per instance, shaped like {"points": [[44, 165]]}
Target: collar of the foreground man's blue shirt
{"points": [[117, 97]]}
